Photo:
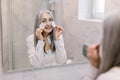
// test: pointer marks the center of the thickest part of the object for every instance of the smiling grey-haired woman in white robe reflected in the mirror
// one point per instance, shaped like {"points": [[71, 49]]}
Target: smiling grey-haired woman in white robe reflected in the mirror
{"points": [[46, 45]]}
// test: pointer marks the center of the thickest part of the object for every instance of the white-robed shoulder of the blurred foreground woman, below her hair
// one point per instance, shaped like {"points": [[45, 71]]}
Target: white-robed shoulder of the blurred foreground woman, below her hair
{"points": [[112, 74]]}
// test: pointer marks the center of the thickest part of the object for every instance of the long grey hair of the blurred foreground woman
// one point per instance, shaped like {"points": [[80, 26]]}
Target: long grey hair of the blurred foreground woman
{"points": [[111, 43]]}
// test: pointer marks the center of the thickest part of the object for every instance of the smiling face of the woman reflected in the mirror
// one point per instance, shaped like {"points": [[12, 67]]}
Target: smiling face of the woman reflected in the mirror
{"points": [[47, 20]]}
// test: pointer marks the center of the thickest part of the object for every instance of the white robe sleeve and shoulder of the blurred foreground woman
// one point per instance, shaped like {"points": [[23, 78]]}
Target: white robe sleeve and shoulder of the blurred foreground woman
{"points": [[112, 74]]}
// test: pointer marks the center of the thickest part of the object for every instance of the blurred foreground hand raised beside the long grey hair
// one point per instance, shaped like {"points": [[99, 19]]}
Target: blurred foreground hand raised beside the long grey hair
{"points": [[93, 55]]}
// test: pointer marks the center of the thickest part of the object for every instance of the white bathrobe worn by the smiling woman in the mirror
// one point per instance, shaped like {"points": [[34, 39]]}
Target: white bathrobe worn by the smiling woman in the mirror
{"points": [[38, 57]]}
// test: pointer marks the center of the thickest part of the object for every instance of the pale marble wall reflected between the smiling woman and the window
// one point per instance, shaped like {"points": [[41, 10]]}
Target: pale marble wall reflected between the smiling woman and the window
{"points": [[78, 31]]}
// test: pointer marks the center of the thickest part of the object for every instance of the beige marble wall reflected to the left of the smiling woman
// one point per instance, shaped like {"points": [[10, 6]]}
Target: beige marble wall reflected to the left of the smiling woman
{"points": [[18, 21]]}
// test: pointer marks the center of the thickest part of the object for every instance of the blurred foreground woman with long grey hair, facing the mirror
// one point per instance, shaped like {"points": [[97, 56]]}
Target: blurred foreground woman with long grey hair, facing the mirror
{"points": [[106, 62]]}
